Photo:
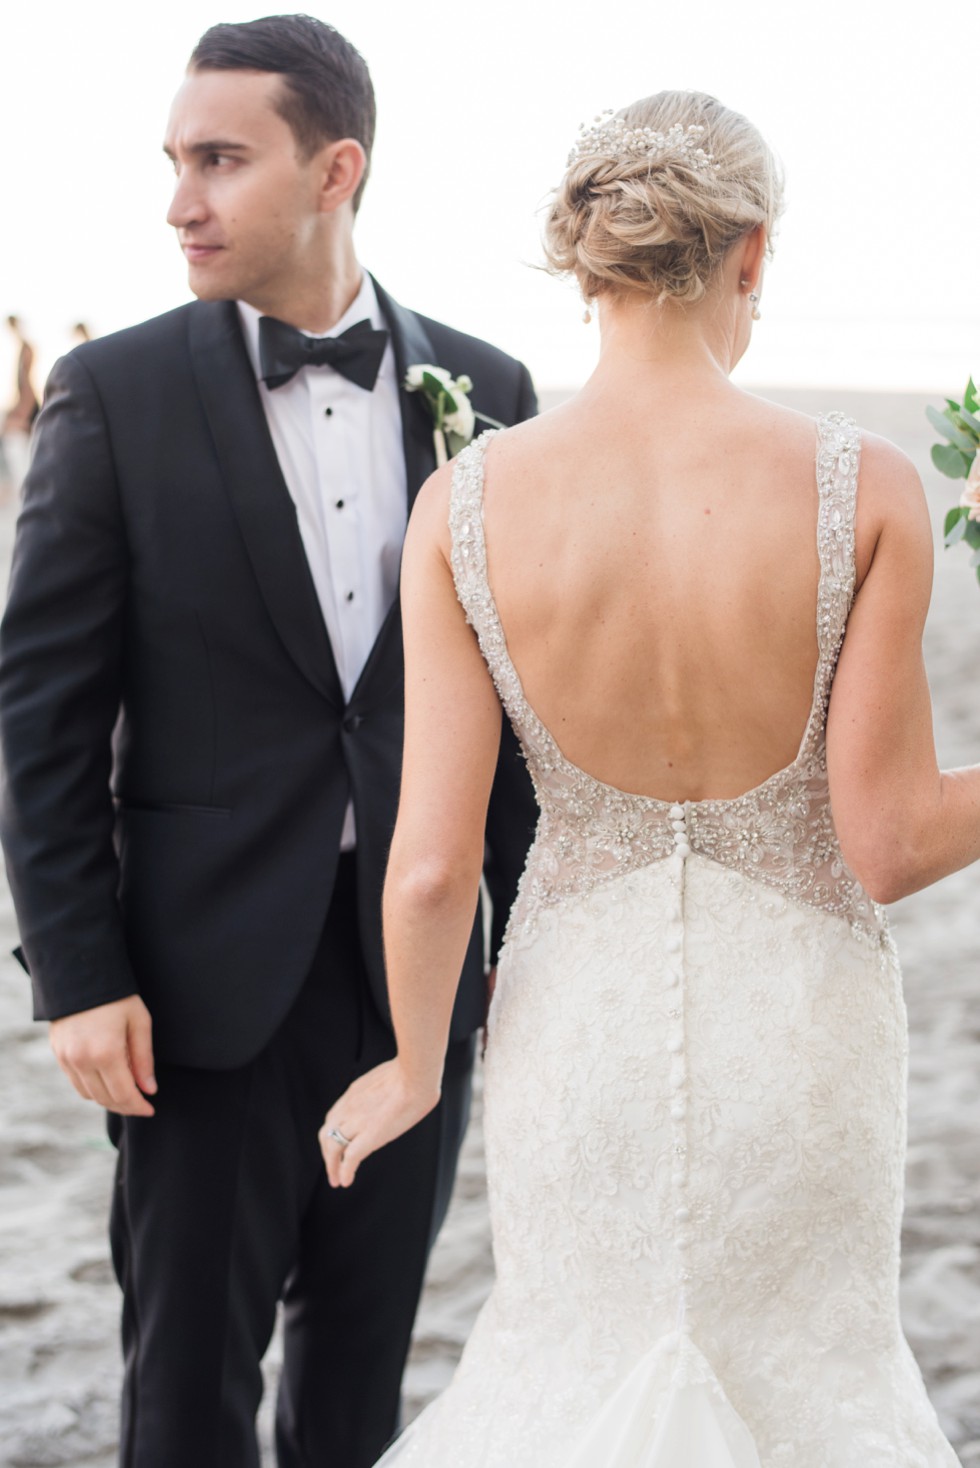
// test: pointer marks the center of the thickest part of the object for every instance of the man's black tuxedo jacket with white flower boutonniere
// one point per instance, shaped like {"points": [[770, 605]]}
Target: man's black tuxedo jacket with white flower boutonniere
{"points": [[177, 749]]}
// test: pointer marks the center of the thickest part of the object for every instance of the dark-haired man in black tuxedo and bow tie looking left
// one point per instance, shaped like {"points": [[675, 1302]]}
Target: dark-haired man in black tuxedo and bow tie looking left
{"points": [[202, 724]]}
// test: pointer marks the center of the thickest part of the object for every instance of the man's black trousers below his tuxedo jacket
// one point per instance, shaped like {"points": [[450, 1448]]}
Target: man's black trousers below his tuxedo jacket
{"points": [[222, 1209]]}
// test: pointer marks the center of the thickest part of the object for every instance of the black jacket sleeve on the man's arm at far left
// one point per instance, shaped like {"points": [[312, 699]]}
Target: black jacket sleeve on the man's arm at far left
{"points": [[61, 677]]}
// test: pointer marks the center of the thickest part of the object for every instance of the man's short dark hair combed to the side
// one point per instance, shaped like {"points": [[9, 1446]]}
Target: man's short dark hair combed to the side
{"points": [[328, 92]]}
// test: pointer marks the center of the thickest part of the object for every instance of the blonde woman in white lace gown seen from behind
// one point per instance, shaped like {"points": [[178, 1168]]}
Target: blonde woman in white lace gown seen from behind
{"points": [[703, 617]]}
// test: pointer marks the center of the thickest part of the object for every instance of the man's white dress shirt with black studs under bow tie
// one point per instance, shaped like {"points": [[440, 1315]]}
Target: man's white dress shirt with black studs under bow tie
{"points": [[344, 462]]}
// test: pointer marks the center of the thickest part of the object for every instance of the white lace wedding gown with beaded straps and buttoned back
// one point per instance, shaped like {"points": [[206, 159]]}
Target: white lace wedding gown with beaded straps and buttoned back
{"points": [[695, 1115]]}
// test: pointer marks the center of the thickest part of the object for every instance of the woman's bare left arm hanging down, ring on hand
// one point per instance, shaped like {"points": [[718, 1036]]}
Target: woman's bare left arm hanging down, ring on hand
{"points": [[432, 889]]}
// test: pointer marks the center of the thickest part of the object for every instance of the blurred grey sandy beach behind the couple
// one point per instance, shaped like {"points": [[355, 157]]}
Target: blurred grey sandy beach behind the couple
{"points": [[59, 1356]]}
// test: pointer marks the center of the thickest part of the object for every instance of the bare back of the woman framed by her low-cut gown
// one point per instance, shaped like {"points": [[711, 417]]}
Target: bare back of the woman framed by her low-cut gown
{"points": [[658, 586]]}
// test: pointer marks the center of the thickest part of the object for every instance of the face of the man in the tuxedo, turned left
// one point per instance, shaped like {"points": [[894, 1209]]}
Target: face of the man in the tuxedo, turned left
{"points": [[246, 203]]}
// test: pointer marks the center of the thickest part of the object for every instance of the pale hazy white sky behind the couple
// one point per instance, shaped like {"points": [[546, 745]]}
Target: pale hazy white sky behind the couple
{"points": [[874, 108]]}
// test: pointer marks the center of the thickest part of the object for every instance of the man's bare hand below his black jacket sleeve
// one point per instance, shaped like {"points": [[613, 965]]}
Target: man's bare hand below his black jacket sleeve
{"points": [[108, 1055]]}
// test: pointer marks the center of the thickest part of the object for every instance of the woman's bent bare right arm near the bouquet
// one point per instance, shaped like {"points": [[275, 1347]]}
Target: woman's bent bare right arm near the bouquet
{"points": [[902, 821]]}
